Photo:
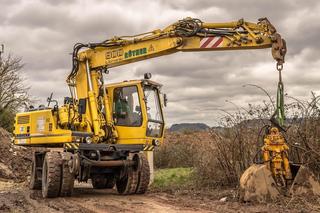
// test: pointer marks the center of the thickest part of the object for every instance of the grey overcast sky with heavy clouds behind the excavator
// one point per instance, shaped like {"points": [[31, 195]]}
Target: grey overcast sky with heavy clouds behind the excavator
{"points": [[43, 33]]}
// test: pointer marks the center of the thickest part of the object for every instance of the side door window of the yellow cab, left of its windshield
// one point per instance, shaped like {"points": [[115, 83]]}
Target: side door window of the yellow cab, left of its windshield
{"points": [[126, 106]]}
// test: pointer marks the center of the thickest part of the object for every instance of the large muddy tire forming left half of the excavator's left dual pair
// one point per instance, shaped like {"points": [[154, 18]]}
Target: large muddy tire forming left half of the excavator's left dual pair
{"points": [[51, 175]]}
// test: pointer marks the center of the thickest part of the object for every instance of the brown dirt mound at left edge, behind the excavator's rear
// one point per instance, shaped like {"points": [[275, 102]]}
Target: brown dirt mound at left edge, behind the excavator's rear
{"points": [[15, 161]]}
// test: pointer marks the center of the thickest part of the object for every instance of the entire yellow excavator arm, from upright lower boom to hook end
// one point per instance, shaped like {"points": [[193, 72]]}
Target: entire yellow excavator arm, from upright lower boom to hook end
{"points": [[187, 35]]}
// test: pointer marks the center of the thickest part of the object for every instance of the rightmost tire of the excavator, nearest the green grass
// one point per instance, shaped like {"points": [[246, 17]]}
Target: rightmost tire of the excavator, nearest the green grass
{"points": [[143, 175]]}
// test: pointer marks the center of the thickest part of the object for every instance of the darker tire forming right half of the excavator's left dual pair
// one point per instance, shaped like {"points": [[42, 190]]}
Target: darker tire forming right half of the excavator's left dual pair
{"points": [[67, 180]]}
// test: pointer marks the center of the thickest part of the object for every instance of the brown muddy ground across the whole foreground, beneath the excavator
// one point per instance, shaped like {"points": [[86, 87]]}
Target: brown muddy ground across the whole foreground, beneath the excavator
{"points": [[18, 198]]}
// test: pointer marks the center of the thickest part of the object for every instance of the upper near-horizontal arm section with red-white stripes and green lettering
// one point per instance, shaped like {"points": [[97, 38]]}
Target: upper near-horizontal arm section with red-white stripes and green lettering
{"points": [[187, 35]]}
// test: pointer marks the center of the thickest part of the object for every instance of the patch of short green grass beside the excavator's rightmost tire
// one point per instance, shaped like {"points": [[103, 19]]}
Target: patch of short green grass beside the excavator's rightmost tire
{"points": [[172, 179]]}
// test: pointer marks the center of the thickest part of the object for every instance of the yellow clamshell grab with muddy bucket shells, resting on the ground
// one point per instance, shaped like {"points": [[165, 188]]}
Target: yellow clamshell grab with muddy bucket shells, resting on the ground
{"points": [[265, 182]]}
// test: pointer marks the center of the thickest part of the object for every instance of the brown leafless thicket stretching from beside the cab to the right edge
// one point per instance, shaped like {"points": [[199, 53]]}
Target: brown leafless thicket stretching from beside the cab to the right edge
{"points": [[221, 155]]}
